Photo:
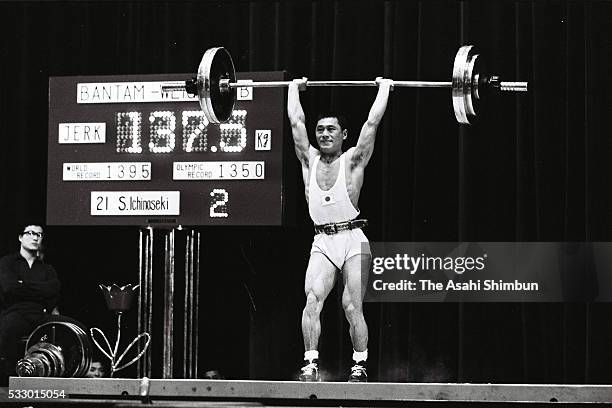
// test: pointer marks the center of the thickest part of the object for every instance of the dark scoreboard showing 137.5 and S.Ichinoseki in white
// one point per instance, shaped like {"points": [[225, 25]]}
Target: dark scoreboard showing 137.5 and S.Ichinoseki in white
{"points": [[123, 151]]}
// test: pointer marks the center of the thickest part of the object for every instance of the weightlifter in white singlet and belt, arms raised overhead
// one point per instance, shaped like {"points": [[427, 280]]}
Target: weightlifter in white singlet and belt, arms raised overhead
{"points": [[332, 181]]}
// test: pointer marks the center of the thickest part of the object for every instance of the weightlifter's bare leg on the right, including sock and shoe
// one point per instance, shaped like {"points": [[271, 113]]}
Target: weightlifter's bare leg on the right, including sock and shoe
{"points": [[355, 276]]}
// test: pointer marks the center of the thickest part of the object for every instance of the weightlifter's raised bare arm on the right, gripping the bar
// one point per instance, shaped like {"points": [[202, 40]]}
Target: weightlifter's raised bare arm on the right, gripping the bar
{"points": [[365, 144]]}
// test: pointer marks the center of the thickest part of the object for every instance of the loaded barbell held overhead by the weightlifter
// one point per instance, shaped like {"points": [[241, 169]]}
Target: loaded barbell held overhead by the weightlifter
{"points": [[215, 84]]}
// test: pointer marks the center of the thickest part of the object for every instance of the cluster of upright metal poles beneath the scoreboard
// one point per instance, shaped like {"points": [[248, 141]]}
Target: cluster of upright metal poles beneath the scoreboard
{"points": [[190, 303]]}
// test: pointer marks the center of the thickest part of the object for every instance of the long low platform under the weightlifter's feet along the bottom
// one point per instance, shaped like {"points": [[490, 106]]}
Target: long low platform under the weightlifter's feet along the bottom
{"points": [[204, 393]]}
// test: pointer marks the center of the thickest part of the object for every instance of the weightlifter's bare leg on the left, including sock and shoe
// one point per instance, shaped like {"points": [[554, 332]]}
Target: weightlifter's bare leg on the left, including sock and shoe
{"points": [[319, 281]]}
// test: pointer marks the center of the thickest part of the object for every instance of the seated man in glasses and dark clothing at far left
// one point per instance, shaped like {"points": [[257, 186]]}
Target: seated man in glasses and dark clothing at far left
{"points": [[29, 290]]}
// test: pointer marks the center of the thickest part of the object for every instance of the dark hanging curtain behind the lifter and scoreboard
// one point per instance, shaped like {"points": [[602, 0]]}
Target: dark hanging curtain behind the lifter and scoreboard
{"points": [[534, 168]]}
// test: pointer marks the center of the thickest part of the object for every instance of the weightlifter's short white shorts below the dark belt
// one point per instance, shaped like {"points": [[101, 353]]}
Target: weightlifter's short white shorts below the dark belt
{"points": [[341, 246]]}
